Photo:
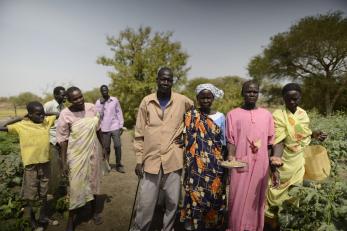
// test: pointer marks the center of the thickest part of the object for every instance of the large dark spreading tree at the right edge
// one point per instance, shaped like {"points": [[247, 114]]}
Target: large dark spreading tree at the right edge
{"points": [[313, 50]]}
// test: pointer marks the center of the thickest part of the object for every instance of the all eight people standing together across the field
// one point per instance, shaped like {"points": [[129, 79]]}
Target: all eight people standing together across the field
{"points": [[179, 150]]}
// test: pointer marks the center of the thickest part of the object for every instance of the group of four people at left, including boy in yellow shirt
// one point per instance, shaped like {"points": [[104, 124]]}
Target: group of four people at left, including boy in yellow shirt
{"points": [[70, 140]]}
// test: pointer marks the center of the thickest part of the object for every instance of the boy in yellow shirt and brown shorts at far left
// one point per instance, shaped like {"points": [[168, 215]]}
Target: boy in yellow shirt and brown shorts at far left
{"points": [[33, 131]]}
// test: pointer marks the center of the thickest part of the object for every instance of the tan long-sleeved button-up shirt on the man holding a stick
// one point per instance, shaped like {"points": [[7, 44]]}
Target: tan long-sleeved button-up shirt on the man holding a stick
{"points": [[156, 130]]}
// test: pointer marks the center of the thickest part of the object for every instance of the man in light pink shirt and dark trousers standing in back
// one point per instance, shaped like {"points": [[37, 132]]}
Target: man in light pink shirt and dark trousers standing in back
{"points": [[111, 124]]}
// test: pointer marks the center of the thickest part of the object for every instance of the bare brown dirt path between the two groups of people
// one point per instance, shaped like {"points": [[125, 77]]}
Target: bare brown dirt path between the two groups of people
{"points": [[117, 197]]}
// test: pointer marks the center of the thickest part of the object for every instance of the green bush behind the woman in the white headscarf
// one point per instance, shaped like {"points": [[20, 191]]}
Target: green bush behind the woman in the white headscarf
{"points": [[231, 85]]}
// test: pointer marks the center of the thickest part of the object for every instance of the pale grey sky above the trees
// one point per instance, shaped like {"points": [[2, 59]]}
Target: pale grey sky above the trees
{"points": [[48, 43]]}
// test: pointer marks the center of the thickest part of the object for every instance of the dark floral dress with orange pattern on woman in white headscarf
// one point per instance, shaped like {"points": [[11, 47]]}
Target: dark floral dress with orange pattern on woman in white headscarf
{"points": [[204, 200]]}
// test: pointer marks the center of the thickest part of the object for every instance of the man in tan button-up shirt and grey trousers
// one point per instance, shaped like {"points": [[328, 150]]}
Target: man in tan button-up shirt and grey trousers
{"points": [[159, 155]]}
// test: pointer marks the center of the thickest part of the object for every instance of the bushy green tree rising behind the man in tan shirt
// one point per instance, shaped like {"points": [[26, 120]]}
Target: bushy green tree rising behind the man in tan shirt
{"points": [[137, 56]]}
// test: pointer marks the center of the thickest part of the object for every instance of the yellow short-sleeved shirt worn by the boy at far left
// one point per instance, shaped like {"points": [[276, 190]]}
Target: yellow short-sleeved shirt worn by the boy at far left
{"points": [[33, 139]]}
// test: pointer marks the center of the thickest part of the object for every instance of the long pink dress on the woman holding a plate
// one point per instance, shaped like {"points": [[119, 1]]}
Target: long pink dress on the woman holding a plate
{"points": [[247, 128]]}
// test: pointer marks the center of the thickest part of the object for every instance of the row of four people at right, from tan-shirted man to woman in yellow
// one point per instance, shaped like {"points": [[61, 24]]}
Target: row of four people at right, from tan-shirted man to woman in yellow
{"points": [[173, 138]]}
